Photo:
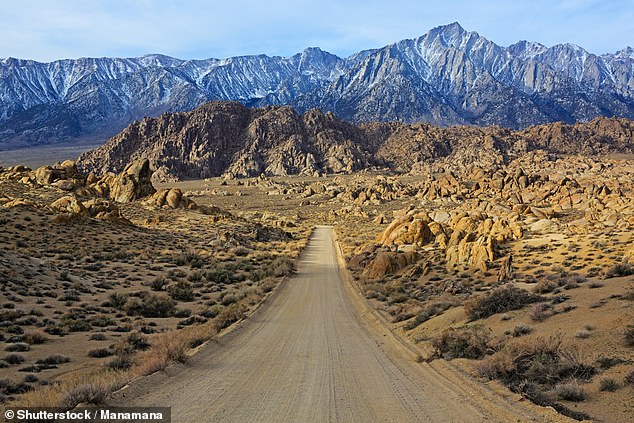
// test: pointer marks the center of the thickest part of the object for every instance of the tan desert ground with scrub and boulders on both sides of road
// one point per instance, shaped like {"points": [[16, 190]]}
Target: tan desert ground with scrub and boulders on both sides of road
{"points": [[518, 279]]}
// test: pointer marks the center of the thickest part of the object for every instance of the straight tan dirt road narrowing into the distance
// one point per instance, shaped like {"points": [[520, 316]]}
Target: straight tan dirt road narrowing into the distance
{"points": [[308, 356]]}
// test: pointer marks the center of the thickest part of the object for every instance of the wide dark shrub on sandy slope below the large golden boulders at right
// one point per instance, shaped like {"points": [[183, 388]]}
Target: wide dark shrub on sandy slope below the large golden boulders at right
{"points": [[499, 300]]}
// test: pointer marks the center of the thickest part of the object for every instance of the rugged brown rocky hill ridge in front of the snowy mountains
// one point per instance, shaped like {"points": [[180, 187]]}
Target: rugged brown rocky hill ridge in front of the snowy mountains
{"points": [[227, 138]]}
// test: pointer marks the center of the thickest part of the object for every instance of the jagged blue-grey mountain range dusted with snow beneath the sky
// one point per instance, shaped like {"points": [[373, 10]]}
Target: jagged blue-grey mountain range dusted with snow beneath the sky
{"points": [[447, 76]]}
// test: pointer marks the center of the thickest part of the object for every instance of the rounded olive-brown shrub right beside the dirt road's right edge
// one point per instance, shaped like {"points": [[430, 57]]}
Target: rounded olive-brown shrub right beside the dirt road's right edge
{"points": [[468, 342]]}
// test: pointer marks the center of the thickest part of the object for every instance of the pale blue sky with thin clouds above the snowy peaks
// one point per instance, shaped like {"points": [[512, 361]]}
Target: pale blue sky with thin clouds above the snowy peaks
{"points": [[46, 30]]}
